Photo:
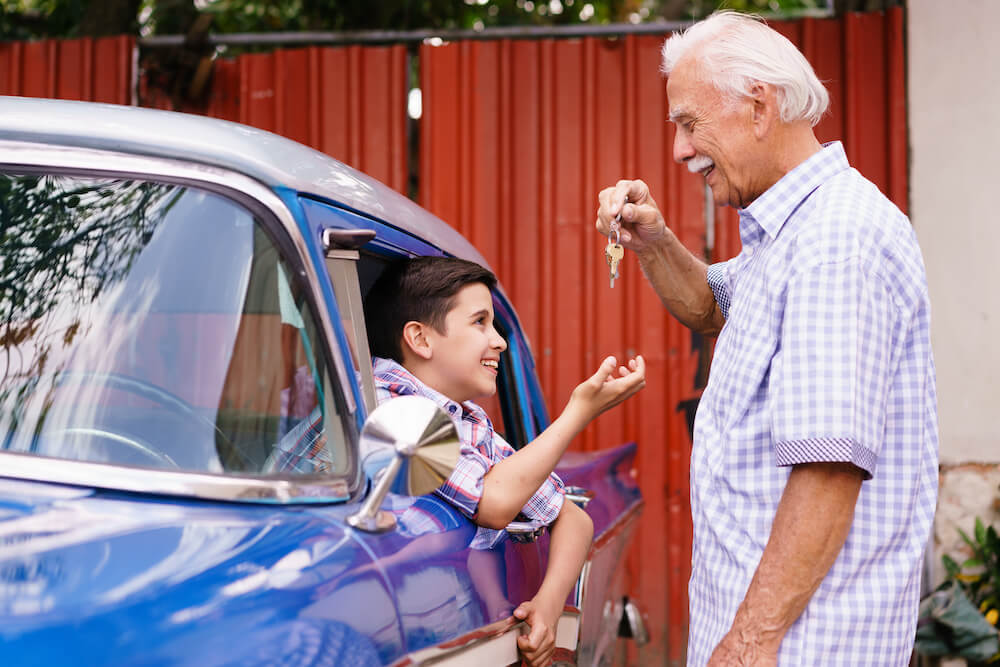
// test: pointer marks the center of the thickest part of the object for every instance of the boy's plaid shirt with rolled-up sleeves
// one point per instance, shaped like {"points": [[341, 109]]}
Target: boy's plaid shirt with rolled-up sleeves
{"points": [[482, 448]]}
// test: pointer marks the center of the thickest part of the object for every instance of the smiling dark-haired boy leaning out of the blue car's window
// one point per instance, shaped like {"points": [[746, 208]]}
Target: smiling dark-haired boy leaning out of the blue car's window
{"points": [[431, 333]]}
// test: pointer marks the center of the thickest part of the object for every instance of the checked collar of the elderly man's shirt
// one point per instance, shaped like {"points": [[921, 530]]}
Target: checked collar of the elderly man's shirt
{"points": [[776, 205]]}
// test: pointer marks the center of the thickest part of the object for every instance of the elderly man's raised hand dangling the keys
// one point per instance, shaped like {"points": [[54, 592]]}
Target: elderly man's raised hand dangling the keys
{"points": [[641, 223]]}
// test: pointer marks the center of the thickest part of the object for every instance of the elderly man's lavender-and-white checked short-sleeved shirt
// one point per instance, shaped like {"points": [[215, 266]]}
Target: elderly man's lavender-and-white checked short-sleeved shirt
{"points": [[825, 356]]}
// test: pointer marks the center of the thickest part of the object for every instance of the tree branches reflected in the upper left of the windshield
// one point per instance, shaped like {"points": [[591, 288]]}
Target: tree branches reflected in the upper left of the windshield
{"points": [[53, 261]]}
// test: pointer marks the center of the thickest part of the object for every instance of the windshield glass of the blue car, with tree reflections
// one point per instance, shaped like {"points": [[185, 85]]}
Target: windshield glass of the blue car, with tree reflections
{"points": [[157, 325]]}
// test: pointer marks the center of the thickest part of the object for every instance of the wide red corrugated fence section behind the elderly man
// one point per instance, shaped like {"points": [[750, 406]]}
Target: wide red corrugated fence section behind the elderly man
{"points": [[518, 137]]}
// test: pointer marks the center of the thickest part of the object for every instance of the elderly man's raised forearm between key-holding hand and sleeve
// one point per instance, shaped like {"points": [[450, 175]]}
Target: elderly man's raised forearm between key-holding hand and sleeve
{"points": [[679, 279]]}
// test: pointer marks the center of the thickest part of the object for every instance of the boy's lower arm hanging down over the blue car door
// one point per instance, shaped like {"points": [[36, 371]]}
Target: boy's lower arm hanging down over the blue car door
{"points": [[572, 532]]}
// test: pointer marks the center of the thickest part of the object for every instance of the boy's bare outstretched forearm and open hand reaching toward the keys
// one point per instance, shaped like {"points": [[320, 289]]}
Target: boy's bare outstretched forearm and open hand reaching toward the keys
{"points": [[511, 482]]}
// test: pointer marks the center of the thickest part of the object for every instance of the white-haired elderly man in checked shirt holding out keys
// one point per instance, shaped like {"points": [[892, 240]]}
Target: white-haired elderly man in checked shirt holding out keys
{"points": [[814, 464]]}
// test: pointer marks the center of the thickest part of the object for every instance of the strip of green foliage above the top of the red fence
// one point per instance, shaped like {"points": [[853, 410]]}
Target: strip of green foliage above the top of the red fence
{"points": [[24, 19]]}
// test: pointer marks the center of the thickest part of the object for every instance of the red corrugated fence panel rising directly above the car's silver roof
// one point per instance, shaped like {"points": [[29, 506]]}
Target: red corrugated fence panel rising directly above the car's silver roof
{"points": [[349, 102]]}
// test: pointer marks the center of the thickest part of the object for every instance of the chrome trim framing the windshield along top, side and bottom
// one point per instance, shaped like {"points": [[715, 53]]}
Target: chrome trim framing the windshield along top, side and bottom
{"points": [[256, 196]]}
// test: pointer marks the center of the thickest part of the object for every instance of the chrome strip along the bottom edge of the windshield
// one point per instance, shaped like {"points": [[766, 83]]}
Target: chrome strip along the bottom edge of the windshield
{"points": [[313, 489]]}
